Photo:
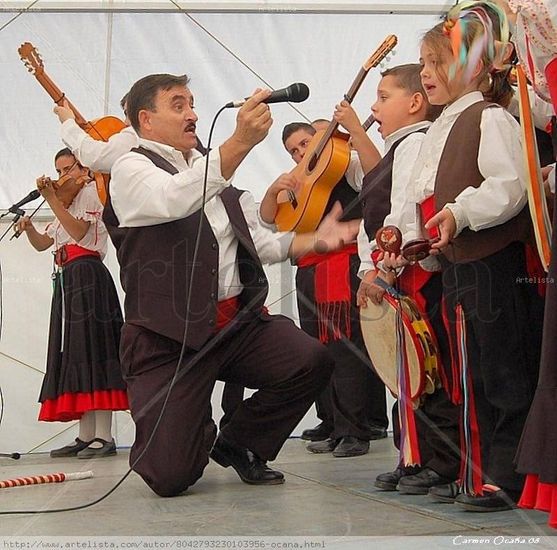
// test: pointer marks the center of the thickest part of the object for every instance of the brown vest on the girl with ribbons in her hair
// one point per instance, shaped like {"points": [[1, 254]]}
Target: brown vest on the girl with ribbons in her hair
{"points": [[458, 169]]}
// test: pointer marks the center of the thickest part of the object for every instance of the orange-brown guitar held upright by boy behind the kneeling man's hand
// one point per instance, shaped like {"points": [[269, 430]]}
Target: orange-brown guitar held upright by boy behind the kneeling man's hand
{"points": [[324, 163]]}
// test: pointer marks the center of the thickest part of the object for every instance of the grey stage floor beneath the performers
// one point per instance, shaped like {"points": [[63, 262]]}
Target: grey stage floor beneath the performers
{"points": [[322, 496]]}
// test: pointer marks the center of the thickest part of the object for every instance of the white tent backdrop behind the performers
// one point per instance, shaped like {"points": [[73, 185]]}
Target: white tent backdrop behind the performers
{"points": [[95, 56]]}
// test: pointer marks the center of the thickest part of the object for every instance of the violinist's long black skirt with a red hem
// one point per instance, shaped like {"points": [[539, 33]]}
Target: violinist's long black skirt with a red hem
{"points": [[83, 370]]}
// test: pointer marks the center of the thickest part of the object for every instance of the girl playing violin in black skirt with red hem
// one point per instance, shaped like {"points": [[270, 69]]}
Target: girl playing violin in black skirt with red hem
{"points": [[82, 379]]}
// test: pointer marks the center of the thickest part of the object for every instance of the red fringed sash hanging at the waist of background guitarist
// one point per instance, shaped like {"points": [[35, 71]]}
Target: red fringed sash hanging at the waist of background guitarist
{"points": [[332, 291]]}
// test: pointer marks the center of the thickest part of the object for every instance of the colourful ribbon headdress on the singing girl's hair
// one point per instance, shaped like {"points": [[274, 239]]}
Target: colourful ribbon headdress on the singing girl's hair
{"points": [[466, 54]]}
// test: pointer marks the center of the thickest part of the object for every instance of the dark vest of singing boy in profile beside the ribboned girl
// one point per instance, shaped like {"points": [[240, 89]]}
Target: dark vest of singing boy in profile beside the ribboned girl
{"points": [[375, 196]]}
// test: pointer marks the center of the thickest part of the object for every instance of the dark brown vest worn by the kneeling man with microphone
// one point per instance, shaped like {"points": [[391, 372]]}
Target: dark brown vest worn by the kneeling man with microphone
{"points": [[156, 263]]}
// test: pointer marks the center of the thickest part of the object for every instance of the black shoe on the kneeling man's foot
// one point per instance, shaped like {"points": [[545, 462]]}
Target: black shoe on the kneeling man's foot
{"points": [[248, 465]]}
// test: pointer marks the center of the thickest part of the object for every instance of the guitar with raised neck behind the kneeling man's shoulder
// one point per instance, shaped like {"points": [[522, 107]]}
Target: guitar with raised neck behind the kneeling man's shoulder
{"points": [[100, 129]]}
